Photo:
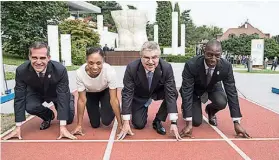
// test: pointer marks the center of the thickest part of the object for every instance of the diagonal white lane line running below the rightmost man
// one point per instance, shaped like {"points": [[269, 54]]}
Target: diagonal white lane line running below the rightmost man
{"points": [[238, 150]]}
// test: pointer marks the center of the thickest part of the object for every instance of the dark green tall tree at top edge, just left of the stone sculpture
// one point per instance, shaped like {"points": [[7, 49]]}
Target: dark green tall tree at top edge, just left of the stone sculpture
{"points": [[106, 8]]}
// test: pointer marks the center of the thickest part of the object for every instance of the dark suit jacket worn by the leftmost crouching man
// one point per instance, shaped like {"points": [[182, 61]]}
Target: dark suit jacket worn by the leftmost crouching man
{"points": [[55, 86]]}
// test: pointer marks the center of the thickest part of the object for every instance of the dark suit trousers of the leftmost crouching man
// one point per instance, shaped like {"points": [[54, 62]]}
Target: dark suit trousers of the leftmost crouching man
{"points": [[34, 106]]}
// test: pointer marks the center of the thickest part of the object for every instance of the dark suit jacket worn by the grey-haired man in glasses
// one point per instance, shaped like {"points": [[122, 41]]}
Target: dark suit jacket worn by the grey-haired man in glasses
{"points": [[136, 92]]}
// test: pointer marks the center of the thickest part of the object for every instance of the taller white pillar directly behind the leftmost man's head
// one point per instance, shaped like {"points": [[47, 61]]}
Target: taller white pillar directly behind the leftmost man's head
{"points": [[53, 42]]}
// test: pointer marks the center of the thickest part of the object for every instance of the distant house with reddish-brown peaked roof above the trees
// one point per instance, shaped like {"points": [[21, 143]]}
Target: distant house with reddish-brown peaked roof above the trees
{"points": [[245, 29]]}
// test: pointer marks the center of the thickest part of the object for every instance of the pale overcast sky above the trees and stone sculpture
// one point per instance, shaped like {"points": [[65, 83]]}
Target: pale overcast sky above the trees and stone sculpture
{"points": [[224, 14]]}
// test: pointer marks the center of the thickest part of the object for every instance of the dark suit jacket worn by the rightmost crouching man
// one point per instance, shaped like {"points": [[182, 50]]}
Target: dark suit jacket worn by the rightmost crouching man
{"points": [[194, 84]]}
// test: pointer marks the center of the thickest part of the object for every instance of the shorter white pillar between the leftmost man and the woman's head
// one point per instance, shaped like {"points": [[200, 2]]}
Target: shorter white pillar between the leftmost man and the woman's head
{"points": [[66, 54]]}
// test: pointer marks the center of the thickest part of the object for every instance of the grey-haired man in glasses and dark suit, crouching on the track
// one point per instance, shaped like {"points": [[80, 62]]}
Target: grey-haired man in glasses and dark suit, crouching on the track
{"points": [[145, 79]]}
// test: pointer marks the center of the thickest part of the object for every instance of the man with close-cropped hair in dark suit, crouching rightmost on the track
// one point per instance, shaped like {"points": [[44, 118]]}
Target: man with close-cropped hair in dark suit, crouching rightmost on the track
{"points": [[202, 77]]}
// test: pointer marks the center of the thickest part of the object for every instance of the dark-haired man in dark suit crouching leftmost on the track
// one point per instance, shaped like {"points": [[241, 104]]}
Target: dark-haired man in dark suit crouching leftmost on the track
{"points": [[39, 80]]}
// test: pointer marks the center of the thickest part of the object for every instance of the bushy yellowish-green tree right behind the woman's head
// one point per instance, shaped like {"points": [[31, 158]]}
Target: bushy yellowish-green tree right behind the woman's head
{"points": [[81, 37]]}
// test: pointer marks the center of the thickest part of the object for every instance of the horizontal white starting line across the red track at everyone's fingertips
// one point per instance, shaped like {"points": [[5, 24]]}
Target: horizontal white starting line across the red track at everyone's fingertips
{"points": [[138, 140]]}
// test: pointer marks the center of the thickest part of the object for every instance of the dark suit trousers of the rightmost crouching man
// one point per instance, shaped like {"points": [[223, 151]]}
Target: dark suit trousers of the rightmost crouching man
{"points": [[218, 102]]}
